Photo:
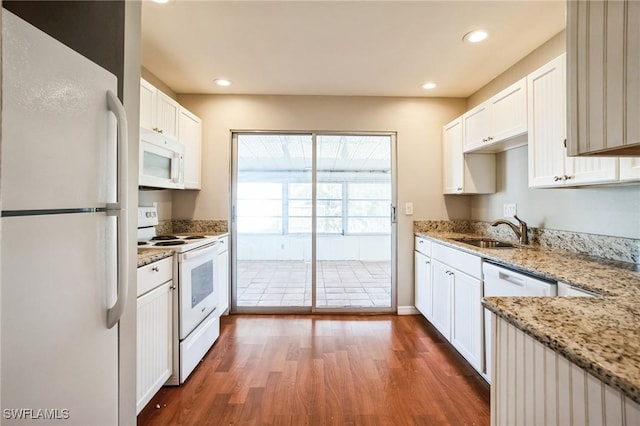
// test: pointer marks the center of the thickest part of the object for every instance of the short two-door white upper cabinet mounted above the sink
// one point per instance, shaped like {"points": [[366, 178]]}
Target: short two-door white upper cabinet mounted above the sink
{"points": [[492, 125]]}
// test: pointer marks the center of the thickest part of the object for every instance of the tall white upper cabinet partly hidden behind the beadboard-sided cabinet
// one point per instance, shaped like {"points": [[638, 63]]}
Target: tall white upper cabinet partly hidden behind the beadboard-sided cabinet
{"points": [[548, 162]]}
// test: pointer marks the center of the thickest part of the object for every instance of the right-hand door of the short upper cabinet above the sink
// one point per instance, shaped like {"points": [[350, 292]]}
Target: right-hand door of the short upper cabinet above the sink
{"points": [[509, 112]]}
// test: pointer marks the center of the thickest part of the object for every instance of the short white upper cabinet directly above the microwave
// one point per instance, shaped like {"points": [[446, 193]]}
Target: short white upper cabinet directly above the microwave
{"points": [[158, 112]]}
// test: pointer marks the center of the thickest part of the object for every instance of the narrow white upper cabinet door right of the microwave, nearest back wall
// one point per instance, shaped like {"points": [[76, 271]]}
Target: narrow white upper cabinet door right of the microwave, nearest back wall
{"points": [[190, 134]]}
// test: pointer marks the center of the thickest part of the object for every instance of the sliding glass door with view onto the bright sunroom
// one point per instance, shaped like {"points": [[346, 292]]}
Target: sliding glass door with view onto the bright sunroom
{"points": [[312, 222]]}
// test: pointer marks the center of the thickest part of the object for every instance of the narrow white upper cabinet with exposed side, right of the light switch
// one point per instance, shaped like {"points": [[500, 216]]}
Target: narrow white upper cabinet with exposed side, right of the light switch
{"points": [[465, 173]]}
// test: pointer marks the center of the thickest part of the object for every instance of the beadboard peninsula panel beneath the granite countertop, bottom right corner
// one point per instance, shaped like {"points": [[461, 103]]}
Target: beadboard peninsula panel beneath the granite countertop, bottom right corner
{"points": [[533, 385]]}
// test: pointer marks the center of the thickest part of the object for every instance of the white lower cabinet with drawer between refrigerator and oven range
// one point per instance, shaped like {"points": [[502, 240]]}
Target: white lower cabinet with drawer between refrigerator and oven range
{"points": [[154, 329]]}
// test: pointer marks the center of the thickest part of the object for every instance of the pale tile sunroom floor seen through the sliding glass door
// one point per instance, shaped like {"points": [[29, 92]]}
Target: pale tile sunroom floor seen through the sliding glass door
{"points": [[340, 284]]}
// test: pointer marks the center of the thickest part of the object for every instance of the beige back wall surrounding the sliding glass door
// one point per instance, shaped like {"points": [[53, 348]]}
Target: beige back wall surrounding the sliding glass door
{"points": [[417, 121]]}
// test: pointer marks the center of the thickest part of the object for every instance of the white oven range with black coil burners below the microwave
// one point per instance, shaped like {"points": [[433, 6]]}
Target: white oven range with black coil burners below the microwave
{"points": [[196, 325]]}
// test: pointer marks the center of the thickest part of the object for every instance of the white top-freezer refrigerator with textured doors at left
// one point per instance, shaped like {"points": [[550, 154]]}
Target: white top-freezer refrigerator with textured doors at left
{"points": [[63, 232]]}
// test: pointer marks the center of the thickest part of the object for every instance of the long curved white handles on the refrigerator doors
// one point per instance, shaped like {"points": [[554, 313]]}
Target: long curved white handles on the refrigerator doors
{"points": [[115, 312]]}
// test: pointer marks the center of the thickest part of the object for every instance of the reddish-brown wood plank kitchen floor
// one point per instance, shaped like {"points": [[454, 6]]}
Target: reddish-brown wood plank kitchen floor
{"points": [[325, 370]]}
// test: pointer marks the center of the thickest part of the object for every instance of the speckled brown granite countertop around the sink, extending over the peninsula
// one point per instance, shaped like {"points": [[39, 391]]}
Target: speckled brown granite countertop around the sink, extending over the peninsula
{"points": [[600, 334]]}
